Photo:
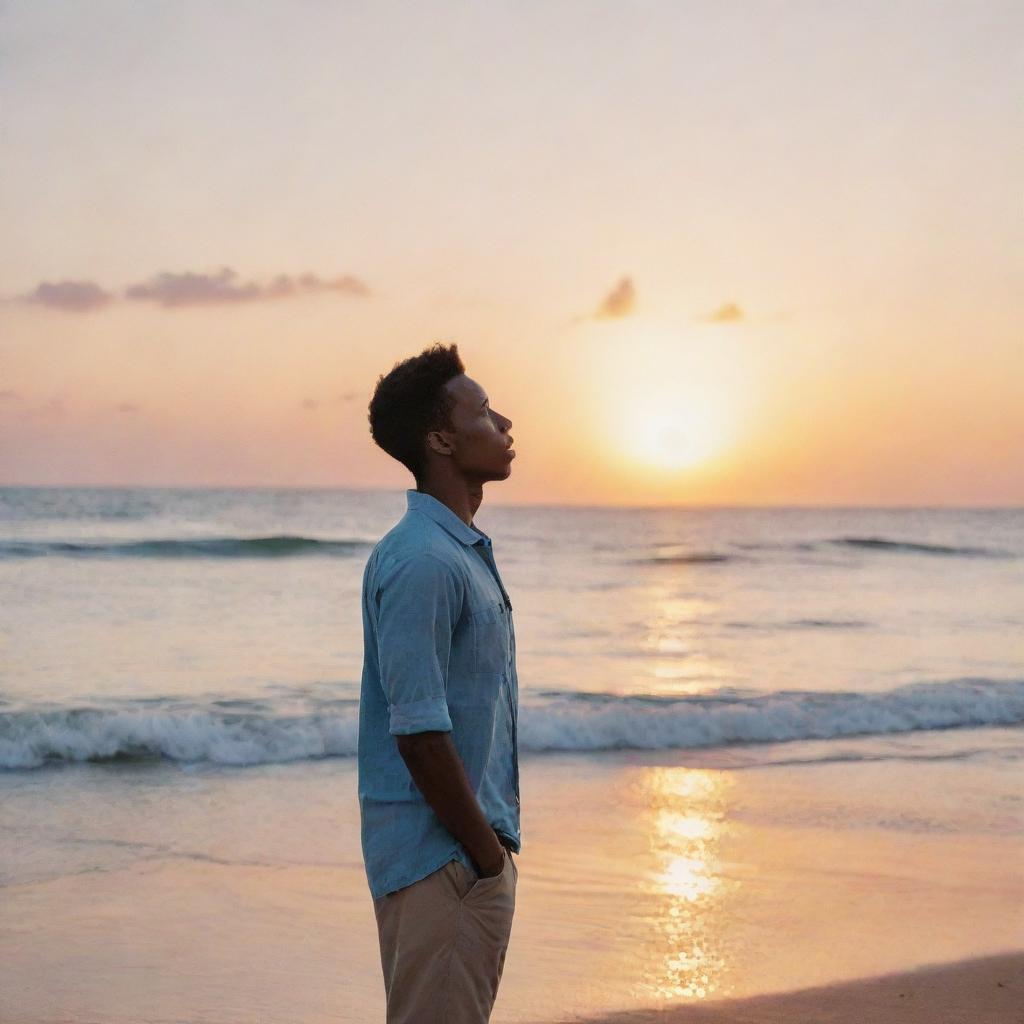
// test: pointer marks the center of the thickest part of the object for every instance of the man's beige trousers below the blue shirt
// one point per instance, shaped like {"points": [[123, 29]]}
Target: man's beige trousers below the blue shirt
{"points": [[443, 945]]}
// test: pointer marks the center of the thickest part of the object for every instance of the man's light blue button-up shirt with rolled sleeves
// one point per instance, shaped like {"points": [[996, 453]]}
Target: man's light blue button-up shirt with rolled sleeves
{"points": [[439, 655]]}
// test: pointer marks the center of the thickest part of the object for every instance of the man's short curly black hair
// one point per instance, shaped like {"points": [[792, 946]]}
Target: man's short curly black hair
{"points": [[410, 401]]}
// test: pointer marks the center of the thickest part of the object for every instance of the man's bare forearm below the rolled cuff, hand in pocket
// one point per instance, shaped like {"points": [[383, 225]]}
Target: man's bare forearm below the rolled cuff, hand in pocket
{"points": [[438, 771]]}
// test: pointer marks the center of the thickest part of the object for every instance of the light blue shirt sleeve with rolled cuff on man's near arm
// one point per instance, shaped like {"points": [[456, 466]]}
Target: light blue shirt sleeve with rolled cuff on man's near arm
{"points": [[419, 605]]}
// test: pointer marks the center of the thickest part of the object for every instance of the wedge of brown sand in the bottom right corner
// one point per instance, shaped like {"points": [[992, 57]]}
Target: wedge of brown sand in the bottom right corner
{"points": [[978, 991]]}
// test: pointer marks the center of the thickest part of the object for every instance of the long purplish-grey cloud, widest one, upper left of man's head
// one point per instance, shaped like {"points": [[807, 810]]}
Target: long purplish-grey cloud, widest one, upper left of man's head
{"points": [[224, 288]]}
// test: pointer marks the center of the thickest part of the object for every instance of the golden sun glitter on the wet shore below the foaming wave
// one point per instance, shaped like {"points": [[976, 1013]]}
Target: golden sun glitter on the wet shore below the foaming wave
{"points": [[685, 893]]}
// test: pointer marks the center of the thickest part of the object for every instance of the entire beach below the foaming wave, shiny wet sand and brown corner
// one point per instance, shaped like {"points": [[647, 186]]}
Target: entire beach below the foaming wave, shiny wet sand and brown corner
{"points": [[232, 898]]}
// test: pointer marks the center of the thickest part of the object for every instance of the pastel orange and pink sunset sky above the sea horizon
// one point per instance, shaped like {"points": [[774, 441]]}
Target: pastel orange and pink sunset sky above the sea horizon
{"points": [[699, 253]]}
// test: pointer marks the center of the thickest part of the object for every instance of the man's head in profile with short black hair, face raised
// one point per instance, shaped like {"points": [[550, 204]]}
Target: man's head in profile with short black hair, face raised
{"points": [[434, 419]]}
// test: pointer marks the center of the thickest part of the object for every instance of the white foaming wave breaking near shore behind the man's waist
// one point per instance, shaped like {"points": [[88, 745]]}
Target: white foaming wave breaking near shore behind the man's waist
{"points": [[549, 721]]}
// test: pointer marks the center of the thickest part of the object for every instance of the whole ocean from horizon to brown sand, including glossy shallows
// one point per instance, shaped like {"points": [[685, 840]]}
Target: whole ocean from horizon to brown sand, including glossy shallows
{"points": [[740, 731]]}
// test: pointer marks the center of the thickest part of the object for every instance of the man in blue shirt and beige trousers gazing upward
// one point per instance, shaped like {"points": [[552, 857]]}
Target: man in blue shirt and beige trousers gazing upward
{"points": [[439, 776]]}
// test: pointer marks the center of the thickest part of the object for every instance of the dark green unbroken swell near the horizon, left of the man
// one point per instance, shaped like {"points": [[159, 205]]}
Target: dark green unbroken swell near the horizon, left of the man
{"points": [[276, 546]]}
